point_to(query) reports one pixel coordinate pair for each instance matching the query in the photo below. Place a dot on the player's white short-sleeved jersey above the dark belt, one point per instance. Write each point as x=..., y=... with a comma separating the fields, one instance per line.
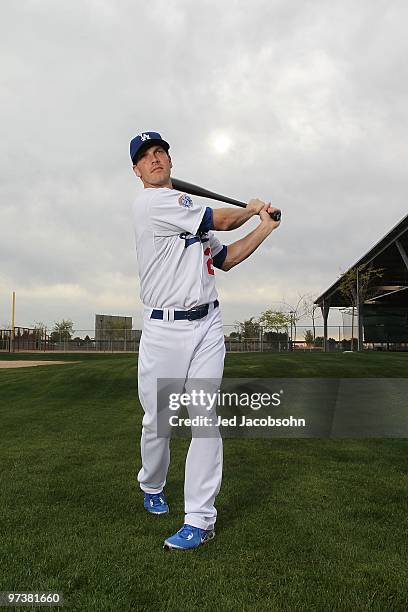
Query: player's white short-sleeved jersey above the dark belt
x=175, y=262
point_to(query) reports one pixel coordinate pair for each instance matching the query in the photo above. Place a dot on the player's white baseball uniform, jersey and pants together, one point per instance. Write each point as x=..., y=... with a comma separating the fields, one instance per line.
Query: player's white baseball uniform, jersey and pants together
x=176, y=251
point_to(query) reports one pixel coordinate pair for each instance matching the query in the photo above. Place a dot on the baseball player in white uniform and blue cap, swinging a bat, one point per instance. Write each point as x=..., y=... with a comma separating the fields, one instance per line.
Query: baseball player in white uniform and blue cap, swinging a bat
x=182, y=332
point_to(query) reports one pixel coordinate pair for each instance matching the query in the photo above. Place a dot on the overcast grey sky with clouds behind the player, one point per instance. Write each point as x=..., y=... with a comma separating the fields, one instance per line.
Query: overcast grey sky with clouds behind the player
x=311, y=96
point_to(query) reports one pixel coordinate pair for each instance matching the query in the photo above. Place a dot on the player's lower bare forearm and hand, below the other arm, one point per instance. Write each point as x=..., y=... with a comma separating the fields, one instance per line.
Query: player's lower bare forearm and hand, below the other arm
x=241, y=249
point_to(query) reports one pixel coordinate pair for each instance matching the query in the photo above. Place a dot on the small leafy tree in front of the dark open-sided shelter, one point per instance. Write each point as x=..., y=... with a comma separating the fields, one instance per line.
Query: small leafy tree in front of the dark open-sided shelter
x=366, y=289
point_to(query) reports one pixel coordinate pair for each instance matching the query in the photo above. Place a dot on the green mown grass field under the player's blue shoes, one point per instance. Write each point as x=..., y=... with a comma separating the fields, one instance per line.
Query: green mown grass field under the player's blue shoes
x=307, y=524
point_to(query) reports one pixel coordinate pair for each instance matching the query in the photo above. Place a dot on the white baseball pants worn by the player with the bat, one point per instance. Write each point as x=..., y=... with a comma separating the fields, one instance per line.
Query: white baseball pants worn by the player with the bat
x=181, y=350
